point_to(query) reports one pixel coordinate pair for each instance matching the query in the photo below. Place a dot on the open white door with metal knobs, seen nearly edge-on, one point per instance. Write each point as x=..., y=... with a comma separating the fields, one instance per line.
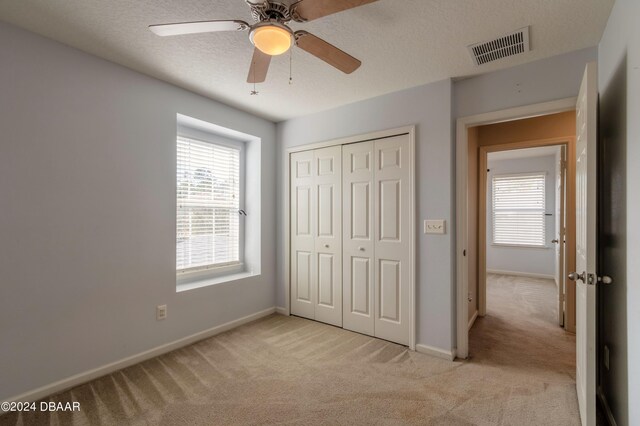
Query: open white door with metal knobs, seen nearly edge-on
x=586, y=192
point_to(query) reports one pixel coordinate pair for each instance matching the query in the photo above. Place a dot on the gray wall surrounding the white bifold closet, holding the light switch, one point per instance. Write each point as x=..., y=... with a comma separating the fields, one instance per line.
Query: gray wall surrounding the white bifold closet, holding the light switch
x=429, y=107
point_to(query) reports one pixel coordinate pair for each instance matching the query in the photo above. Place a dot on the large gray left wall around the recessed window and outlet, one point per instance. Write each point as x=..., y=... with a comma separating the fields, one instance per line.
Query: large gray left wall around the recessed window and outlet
x=87, y=217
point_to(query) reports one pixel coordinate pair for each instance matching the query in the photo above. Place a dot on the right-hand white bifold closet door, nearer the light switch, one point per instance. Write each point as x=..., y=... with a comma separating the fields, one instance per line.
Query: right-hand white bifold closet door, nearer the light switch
x=377, y=239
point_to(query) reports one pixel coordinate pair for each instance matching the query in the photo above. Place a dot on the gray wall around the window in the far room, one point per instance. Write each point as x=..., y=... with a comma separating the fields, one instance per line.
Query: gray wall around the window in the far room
x=539, y=261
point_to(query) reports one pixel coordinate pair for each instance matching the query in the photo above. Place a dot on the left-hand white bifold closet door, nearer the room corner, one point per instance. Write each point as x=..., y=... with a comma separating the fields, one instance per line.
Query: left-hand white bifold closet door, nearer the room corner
x=316, y=235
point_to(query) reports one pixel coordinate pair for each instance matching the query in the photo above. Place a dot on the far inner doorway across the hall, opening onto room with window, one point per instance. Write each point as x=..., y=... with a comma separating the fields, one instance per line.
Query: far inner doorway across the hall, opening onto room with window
x=522, y=243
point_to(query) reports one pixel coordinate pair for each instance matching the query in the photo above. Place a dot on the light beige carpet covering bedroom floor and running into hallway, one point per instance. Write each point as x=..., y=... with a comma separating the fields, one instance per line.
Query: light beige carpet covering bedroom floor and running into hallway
x=287, y=370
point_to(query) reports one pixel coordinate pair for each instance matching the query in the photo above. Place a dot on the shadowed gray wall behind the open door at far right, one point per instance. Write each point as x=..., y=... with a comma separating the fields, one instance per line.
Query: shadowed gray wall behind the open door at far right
x=619, y=304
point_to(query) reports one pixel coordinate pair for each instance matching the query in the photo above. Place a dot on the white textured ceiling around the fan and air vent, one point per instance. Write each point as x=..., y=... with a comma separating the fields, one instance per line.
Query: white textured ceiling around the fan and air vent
x=402, y=44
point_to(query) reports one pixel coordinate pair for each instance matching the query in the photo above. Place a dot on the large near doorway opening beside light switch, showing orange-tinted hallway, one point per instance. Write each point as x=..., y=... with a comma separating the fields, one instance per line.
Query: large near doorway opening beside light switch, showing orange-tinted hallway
x=518, y=188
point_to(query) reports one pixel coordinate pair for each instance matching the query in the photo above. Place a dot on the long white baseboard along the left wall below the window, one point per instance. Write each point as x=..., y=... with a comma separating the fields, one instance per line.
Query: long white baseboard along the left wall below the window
x=80, y=378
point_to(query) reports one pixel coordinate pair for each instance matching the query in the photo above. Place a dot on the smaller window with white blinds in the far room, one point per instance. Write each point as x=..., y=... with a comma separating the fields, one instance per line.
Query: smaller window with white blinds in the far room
x=519, y=210
